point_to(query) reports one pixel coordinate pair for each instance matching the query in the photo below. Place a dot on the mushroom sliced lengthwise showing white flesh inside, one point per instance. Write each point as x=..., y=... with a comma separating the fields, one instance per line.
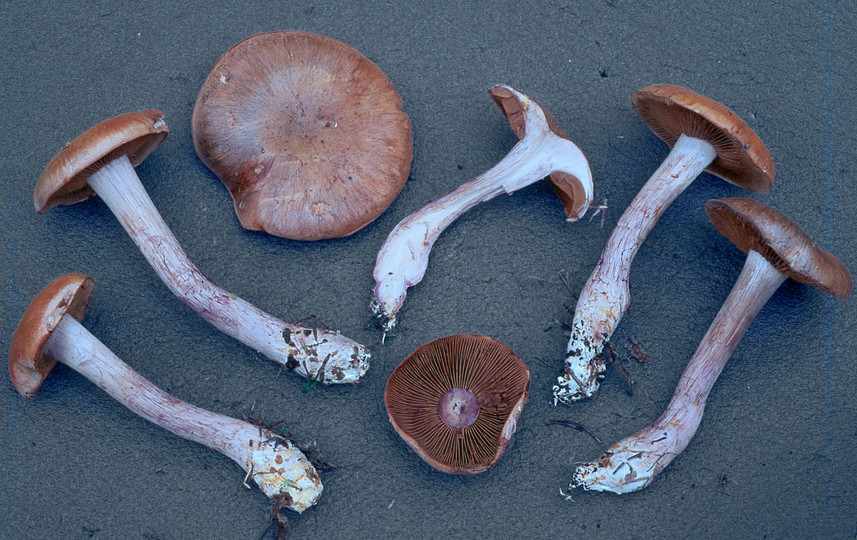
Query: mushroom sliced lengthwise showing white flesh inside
x=544, y=149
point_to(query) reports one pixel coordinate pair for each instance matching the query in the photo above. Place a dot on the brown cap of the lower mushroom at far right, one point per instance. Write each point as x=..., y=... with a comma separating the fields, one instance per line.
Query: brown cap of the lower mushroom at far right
x=751, y=225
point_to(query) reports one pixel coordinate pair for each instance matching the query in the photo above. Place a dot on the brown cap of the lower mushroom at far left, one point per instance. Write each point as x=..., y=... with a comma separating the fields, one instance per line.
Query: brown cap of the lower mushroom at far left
x=28, y=364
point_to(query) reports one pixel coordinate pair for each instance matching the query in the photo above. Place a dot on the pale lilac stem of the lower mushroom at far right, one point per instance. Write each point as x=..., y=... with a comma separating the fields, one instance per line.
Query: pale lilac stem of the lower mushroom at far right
x=634, y=462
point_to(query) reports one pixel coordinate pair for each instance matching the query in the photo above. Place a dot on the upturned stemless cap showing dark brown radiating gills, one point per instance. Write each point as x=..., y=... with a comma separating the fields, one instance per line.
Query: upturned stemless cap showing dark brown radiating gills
x=477, y=365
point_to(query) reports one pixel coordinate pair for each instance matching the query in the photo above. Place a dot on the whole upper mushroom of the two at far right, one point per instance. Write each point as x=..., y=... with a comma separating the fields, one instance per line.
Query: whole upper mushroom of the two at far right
x=704, y=135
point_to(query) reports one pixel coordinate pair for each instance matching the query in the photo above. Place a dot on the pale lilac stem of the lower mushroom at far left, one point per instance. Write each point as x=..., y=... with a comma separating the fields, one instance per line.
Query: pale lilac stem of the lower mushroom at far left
x=280, y=469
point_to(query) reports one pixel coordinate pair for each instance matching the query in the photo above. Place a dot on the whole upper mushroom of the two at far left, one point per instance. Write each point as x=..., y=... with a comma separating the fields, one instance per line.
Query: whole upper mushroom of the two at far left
x=101, y=161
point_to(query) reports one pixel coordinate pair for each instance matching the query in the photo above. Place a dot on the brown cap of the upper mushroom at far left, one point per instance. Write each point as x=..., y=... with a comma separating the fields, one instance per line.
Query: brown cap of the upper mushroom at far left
x=135, y=135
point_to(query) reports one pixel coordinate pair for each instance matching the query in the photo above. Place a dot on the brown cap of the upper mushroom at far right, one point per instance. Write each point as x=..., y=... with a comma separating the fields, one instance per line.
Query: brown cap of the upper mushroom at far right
x=671, y=111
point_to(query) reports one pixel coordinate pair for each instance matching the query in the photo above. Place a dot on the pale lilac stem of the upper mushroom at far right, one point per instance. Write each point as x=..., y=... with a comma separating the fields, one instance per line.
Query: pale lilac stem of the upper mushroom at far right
x=606, y=295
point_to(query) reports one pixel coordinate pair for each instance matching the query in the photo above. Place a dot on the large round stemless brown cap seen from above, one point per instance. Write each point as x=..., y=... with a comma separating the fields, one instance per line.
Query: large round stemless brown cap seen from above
x=307, y=134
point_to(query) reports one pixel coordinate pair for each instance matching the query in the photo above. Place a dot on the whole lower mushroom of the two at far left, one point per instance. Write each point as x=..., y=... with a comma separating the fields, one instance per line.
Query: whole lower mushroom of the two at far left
x=50, y=332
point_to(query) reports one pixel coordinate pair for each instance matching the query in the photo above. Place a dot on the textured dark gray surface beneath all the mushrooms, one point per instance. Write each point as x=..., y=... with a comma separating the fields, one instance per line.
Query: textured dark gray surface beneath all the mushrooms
x=780, y=424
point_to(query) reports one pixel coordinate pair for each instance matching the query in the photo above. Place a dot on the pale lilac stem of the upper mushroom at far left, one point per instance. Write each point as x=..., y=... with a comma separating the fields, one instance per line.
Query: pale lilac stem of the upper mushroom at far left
x=321, y=355
